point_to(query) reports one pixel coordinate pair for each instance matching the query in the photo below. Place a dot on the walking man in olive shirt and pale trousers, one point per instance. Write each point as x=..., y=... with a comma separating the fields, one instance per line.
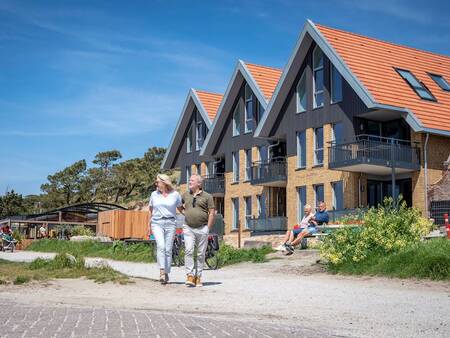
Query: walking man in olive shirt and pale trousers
x=199, y=218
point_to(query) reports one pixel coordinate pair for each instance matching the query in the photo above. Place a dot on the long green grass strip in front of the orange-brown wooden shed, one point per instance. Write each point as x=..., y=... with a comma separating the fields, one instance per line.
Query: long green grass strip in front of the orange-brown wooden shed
x=118, y=250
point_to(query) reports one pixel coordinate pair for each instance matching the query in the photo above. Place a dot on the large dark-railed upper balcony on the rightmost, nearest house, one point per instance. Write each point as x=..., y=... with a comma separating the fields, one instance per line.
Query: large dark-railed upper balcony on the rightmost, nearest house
x=375, y=155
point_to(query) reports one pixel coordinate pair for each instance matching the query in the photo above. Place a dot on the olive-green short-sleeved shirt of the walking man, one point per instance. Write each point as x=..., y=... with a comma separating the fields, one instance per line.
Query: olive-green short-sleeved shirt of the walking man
x=196, y=214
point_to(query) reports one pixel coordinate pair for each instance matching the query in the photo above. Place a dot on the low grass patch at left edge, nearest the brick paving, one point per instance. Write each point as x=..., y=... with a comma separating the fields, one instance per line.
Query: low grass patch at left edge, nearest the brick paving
x=60, y=267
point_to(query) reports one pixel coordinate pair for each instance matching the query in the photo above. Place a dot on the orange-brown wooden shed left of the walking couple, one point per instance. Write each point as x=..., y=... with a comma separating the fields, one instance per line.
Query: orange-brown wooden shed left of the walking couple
x=120, y=224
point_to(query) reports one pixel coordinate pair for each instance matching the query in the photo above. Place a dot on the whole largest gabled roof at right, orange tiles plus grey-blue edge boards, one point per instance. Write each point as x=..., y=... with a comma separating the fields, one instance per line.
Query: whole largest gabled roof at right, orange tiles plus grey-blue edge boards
x=368, y=64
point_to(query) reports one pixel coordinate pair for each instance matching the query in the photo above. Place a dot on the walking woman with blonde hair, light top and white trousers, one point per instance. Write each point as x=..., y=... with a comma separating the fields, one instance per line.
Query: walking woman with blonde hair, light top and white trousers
x=163, y=205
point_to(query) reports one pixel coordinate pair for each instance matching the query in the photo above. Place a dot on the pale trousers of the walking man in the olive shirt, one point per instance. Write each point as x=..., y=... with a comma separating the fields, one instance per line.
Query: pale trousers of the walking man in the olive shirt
x=195, y=237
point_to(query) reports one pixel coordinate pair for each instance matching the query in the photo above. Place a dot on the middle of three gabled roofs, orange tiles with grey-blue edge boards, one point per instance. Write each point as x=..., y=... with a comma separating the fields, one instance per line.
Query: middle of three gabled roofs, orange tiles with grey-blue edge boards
x=261, y=79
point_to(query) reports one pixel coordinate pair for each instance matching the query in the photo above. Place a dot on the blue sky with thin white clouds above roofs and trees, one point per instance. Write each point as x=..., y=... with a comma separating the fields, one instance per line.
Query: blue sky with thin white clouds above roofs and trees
x=80, y=77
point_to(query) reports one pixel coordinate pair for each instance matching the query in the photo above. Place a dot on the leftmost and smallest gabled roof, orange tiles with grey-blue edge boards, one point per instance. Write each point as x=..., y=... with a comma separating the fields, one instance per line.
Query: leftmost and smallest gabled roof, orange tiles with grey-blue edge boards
x=207, y=104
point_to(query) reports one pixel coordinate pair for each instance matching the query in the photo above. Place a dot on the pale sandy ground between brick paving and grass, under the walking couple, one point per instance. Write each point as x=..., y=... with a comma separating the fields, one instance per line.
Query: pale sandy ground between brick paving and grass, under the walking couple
x=287, y=290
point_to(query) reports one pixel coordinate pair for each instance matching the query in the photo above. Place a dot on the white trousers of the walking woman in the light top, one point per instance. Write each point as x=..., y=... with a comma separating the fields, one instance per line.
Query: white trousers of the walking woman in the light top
x=164, y=232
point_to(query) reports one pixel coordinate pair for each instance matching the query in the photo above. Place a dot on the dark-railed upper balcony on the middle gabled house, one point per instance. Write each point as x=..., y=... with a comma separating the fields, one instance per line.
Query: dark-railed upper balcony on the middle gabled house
x=271, y=173
